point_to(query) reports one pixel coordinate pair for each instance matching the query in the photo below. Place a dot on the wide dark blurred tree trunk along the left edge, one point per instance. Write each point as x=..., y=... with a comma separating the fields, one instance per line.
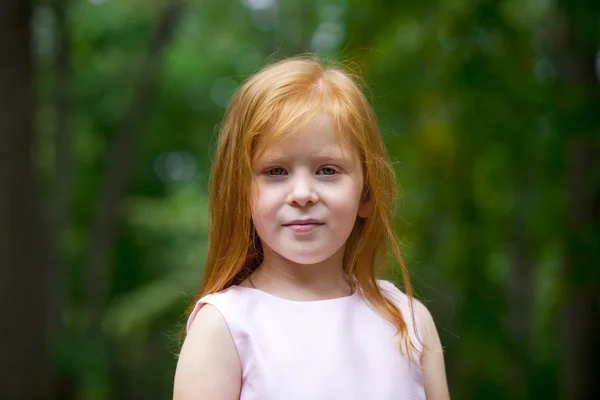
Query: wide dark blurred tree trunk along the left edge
x=26, y=370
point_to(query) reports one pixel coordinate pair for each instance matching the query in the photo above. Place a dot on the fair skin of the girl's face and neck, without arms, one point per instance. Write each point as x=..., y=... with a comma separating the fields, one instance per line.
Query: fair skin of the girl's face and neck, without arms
x=308, y=175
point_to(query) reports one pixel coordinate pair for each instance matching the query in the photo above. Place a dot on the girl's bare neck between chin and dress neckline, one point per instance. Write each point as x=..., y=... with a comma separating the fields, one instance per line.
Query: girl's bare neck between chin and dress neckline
x=280, y=276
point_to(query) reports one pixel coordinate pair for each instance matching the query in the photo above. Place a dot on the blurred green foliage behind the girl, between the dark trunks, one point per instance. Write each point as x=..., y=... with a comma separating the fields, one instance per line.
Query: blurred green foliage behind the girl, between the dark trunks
x=476, y=117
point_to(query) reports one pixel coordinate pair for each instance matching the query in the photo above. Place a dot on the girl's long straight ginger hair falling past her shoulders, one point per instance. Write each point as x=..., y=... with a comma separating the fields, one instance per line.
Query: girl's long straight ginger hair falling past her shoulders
x=280, y=98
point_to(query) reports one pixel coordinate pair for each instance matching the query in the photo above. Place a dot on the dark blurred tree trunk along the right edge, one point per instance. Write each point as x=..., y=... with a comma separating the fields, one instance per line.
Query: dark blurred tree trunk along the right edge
x=580, y=329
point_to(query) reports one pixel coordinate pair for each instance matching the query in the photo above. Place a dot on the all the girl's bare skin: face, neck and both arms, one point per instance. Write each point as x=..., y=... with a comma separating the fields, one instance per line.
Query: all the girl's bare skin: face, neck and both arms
x=307, y=175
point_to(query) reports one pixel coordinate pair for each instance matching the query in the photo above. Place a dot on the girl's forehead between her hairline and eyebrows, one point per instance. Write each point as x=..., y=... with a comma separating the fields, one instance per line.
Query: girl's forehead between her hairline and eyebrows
x=317, y=138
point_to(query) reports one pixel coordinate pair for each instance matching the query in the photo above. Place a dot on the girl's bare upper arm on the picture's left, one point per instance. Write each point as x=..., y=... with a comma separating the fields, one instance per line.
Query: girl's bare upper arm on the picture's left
x=208, y=365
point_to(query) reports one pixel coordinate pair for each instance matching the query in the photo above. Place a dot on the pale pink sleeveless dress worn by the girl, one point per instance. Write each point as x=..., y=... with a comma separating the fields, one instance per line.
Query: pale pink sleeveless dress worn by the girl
x=312, y=350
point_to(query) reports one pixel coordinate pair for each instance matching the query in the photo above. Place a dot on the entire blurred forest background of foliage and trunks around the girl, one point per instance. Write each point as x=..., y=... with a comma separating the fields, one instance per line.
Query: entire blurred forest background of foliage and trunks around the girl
x=109, y=112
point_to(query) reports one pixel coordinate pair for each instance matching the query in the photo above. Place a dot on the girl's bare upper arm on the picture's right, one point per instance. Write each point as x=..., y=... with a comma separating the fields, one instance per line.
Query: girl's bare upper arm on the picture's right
x=432, y=358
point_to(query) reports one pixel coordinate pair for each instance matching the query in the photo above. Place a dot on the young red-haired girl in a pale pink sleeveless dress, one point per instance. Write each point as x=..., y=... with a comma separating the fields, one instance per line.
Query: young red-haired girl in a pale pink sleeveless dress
x=301, y=204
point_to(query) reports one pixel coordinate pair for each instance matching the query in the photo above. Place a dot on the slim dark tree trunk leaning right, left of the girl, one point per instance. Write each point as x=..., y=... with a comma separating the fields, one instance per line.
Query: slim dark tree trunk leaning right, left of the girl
x=120, y=170
